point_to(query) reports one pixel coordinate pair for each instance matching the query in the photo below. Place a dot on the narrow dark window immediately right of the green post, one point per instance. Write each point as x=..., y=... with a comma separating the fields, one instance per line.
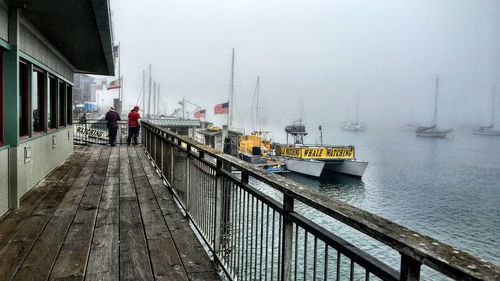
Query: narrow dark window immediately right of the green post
x=23, y=99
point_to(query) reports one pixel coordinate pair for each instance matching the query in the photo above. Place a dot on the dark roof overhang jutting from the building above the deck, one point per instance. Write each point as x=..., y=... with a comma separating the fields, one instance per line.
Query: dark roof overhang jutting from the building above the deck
x=80, y=30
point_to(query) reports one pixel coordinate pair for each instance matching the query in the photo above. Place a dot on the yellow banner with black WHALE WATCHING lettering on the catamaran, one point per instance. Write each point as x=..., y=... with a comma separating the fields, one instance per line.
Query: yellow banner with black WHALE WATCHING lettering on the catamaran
x=317, y=153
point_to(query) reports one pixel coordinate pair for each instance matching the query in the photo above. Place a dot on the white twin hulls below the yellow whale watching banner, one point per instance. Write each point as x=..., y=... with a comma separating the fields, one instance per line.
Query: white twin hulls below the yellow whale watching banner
x=316, y=168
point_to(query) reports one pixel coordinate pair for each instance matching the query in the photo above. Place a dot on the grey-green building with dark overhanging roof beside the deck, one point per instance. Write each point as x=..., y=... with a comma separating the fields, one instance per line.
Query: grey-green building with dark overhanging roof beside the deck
x=42, y=44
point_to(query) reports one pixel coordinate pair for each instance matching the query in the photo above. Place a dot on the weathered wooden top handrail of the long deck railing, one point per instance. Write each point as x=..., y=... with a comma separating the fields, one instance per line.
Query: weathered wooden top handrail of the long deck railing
x=415, y=248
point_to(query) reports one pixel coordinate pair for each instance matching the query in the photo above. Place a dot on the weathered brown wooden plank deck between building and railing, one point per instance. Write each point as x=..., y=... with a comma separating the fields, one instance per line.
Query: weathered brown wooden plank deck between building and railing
x=104, y=214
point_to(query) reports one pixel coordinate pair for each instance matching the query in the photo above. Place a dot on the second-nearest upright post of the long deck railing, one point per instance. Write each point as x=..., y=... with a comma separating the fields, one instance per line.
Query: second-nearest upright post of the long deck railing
x=287, y=238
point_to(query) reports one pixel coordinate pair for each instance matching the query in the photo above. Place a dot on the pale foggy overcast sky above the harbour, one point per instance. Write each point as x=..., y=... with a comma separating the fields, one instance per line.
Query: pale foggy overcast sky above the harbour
x=321, y=52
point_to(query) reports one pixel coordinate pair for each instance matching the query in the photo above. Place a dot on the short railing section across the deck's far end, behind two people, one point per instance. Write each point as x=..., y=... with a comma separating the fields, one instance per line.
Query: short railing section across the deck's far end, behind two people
x=94, y=131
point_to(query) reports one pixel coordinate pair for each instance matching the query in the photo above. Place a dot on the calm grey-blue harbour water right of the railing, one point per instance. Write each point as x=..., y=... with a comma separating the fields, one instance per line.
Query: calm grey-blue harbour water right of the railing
x=448, y=189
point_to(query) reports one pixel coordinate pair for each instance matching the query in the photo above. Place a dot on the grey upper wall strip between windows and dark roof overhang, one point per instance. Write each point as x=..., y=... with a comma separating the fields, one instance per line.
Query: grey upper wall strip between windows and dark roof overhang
x=32, y=43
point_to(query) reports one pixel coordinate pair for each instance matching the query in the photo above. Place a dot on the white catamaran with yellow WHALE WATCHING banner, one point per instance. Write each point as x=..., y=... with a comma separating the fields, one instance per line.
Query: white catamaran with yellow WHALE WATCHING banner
x=318, y=160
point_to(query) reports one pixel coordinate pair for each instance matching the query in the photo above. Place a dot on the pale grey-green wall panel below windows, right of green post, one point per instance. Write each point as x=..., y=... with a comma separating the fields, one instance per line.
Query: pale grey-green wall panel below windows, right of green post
x=44, y=158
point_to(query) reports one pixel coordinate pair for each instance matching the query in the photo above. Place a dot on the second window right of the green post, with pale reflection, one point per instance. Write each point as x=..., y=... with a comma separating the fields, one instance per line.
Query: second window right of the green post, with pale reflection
x=38, y=98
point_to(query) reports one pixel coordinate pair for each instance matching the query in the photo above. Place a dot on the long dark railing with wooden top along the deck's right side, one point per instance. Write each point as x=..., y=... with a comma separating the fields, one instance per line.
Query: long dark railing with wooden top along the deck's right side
x=260, y=234
